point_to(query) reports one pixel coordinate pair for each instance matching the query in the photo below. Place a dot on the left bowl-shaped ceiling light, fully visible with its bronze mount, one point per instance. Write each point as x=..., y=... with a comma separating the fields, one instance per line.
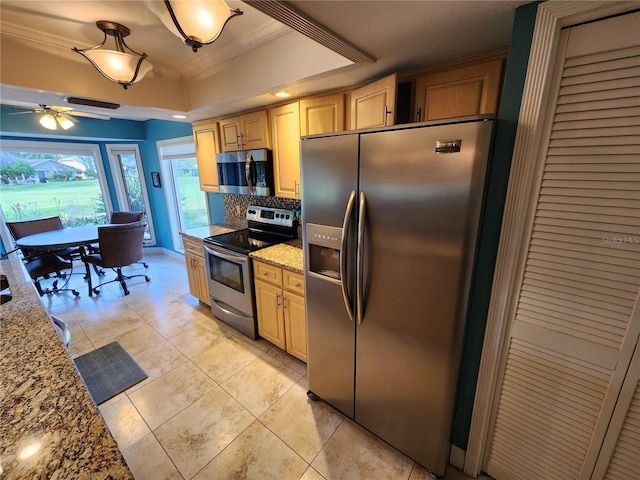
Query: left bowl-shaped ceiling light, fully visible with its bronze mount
x=123, y=65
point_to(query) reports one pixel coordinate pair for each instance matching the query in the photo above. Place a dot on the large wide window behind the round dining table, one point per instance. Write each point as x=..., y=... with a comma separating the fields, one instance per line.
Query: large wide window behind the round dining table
x=42, y=179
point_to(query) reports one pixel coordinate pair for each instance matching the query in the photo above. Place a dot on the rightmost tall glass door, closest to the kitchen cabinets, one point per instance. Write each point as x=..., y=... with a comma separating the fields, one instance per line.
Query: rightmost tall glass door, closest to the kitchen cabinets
x=186, y=203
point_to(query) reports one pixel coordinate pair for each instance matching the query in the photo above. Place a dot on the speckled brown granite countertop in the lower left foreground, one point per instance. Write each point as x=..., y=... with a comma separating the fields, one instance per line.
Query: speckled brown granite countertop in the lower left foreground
x=43, y=401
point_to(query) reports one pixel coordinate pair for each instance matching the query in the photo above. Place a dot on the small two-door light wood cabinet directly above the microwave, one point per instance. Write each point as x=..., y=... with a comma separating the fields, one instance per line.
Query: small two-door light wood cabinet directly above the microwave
x=245, y=132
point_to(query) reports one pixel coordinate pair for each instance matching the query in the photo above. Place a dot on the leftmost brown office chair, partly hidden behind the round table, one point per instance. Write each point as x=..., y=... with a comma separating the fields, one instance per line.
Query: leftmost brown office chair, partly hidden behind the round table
x=44, y=264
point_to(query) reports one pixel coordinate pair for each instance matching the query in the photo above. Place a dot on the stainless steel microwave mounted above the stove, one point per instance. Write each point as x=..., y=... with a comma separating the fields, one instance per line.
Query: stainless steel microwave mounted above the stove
x=249, y=172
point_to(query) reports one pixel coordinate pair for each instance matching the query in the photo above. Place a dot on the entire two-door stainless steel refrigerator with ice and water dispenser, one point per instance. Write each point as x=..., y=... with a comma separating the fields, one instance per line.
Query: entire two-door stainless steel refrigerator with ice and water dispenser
x=390, y=219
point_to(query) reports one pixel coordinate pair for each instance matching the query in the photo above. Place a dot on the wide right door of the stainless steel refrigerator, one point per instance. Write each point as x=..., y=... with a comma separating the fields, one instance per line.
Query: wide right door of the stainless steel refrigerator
x=421, y=216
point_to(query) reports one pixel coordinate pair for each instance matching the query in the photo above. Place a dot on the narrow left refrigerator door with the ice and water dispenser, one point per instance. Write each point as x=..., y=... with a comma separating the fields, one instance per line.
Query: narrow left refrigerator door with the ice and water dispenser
x=329, y=176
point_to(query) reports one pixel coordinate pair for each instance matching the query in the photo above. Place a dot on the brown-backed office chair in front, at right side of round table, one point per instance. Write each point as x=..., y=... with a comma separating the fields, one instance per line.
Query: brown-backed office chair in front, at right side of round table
x=120, y=246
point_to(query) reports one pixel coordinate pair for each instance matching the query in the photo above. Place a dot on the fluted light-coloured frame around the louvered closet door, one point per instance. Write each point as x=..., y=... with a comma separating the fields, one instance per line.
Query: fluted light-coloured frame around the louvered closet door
x=551, y=18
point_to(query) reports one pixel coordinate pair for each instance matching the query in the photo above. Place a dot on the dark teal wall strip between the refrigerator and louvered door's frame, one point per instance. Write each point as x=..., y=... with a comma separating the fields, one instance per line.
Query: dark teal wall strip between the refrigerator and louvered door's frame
x=498, y=177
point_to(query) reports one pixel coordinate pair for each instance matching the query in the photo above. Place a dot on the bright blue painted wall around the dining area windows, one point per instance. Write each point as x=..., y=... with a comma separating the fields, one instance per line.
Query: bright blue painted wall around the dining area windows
x=19, y=126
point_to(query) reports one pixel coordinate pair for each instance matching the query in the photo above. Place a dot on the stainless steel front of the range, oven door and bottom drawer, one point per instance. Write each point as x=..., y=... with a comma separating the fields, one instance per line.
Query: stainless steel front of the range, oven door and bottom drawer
x=230, y=279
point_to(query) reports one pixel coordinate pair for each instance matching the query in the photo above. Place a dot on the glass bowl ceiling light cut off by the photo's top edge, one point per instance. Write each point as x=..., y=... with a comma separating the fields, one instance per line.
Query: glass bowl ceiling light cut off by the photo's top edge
x=195, y=22
